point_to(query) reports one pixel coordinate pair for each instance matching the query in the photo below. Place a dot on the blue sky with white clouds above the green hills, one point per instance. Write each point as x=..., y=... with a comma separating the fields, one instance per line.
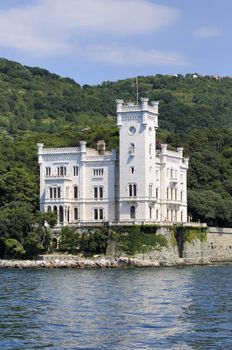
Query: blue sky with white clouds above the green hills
x=92, y=41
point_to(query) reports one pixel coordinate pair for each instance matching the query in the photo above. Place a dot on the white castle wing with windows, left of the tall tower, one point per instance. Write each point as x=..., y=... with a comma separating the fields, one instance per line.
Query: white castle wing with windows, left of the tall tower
x=94, y=171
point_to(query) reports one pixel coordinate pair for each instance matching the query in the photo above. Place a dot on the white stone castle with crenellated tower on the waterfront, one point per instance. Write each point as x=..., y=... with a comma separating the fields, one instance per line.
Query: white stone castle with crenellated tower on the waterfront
x=145, y=184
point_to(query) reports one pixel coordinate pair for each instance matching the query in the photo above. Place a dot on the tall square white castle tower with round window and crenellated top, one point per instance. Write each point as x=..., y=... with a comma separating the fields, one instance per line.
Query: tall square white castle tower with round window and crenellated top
x=137, y=159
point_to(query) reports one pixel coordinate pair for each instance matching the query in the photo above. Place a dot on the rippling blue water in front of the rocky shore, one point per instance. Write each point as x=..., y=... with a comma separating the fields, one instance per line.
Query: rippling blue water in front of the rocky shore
x=165, y=308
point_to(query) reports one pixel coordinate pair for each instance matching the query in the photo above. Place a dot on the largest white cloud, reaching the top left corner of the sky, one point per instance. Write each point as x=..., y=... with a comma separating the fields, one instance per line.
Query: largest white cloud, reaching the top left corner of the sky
x=53, y=27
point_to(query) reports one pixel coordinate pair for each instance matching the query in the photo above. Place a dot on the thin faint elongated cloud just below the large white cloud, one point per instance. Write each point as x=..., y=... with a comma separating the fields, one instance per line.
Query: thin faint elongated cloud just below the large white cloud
x=133, y=56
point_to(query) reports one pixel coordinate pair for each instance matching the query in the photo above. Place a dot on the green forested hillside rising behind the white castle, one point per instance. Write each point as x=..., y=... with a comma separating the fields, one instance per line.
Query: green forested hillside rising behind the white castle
x=37, y=106
